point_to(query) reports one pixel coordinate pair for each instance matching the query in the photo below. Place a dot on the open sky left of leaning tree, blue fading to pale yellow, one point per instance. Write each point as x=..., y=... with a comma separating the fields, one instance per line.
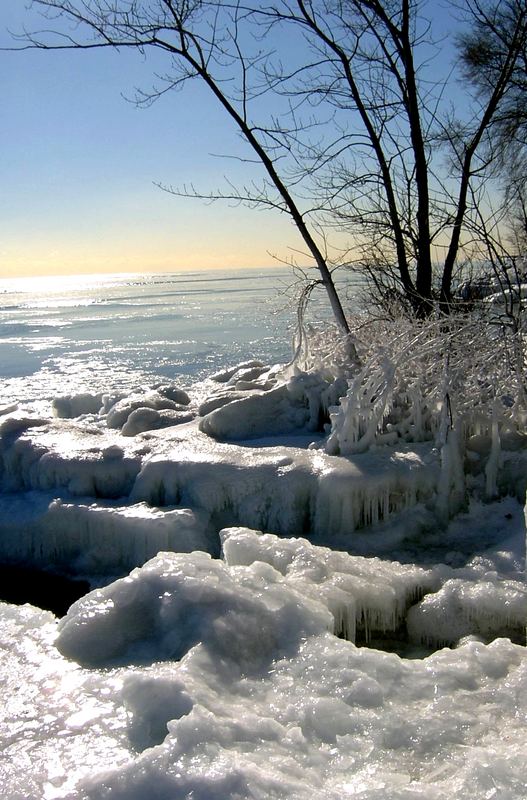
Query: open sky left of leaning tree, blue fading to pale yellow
x=79, y=164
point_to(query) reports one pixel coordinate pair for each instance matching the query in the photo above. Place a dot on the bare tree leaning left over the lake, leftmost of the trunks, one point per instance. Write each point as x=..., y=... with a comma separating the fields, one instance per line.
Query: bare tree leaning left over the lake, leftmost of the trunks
x=205, y=41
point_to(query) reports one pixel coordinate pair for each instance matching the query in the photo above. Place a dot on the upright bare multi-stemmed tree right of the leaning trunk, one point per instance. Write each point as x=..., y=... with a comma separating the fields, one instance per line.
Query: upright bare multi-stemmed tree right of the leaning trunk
x=407, y=180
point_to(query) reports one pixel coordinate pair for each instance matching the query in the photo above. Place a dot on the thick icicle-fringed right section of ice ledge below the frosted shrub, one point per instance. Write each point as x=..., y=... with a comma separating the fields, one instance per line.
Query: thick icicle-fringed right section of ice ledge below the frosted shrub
x=287, y=490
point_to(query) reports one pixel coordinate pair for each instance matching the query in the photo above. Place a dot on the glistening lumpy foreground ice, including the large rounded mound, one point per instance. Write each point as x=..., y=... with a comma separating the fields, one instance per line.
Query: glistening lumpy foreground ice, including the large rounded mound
x=205, y=679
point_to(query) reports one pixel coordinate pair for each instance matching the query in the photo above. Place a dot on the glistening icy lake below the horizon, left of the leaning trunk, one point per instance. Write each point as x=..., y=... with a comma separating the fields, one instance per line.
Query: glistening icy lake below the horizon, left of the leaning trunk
x=64, y=334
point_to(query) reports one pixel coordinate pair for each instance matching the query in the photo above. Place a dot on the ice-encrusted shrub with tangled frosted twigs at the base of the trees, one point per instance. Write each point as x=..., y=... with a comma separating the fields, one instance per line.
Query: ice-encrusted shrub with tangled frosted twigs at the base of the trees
x=451, y=380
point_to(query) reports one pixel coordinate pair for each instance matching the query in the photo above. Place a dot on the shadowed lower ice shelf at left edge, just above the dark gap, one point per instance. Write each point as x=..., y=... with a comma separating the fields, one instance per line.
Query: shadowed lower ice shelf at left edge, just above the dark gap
x=96, y=538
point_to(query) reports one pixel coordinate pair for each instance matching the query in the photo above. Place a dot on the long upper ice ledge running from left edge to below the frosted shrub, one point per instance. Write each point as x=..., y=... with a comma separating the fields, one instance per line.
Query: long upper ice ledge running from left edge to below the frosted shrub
x=283, y=489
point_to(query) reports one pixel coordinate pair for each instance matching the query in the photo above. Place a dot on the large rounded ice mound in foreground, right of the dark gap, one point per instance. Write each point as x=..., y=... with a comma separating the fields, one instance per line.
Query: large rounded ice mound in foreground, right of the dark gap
x=160, y=611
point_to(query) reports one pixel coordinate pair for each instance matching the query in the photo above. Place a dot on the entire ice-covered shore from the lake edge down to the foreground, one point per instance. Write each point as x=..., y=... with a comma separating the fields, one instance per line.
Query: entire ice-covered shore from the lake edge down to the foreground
x=232, y=662
